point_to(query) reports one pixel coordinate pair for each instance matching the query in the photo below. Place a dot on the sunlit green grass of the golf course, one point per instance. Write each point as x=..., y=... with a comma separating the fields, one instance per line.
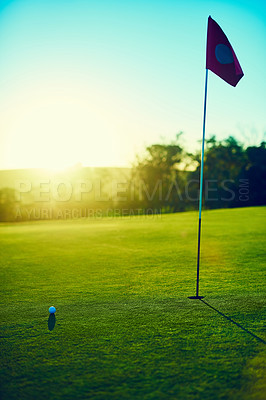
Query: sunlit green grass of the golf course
x=124, y=326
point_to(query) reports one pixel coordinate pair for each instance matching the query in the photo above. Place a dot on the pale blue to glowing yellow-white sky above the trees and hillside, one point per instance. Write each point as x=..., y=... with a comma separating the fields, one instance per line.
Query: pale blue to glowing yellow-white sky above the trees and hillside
x=95, y=81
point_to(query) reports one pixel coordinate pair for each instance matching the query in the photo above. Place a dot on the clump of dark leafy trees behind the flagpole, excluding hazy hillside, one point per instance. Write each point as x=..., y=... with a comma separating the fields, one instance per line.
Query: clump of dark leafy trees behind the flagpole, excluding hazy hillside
x=234, y=176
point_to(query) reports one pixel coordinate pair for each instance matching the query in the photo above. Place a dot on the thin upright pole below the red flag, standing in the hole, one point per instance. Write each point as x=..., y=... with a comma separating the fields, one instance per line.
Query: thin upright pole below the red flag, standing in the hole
x=201, y=186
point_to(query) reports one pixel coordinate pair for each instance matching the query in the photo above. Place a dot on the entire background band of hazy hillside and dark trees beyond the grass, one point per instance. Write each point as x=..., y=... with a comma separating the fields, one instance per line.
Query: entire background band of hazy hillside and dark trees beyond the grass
x=163, y=179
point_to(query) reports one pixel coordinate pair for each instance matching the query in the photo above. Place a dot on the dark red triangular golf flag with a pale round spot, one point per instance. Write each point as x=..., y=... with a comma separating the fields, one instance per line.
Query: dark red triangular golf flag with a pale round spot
x=220, y=57
